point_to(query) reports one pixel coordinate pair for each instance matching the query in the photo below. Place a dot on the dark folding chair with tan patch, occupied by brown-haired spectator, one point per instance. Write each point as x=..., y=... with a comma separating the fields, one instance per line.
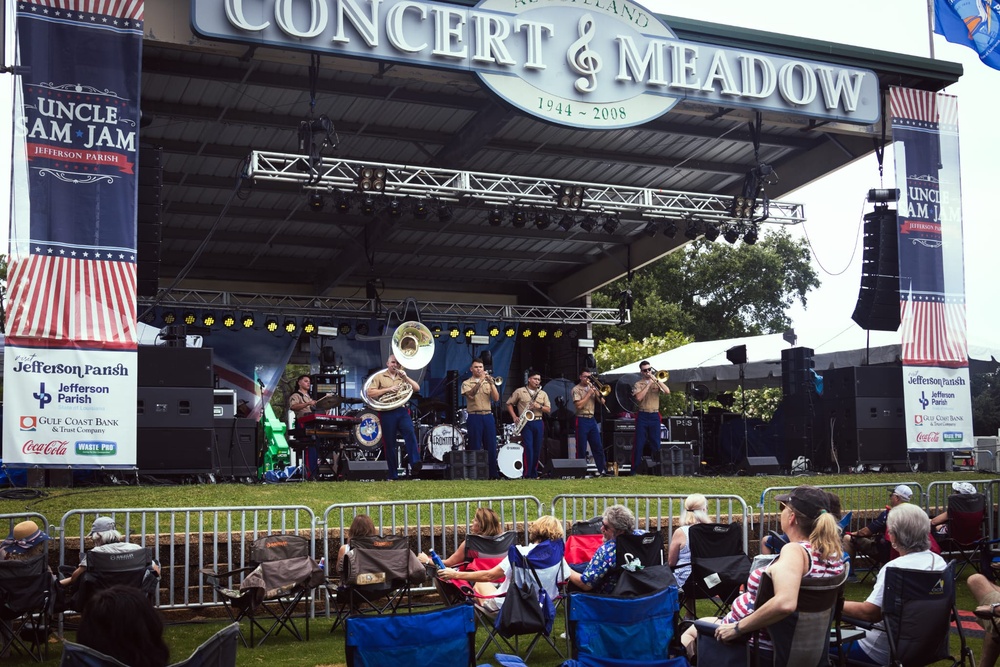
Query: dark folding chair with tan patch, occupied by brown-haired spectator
x=377, y=574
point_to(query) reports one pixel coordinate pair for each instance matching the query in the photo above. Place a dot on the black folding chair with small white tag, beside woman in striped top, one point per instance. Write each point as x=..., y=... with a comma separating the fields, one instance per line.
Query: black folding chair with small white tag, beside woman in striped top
x=719, y=565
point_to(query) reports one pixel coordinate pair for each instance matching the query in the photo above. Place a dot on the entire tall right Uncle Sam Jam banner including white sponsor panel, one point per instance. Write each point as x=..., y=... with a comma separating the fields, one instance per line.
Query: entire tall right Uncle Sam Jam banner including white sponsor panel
x=931, y=269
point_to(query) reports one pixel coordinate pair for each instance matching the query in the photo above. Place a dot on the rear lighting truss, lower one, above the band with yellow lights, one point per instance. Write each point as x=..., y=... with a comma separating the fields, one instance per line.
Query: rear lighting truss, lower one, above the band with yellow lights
x=333, y=307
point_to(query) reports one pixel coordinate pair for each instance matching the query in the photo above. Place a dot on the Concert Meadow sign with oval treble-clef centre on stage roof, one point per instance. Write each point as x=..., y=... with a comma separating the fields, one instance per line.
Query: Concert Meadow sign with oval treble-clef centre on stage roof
x=594, y=64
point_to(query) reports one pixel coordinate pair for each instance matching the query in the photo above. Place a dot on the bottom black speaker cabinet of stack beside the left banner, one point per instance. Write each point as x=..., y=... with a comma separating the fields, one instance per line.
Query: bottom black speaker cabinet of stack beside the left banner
x=174, y=451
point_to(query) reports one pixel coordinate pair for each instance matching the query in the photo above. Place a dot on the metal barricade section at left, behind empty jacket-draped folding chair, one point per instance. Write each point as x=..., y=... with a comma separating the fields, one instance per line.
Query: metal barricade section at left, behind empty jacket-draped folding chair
x=186, y=540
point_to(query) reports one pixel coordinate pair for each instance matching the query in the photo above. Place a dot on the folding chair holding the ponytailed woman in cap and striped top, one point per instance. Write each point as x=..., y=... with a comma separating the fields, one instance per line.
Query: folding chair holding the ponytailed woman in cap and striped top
x=802, y=638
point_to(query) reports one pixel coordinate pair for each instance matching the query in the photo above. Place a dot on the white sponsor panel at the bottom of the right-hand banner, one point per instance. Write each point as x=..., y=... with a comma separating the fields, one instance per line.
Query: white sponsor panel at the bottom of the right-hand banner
x=938, y=408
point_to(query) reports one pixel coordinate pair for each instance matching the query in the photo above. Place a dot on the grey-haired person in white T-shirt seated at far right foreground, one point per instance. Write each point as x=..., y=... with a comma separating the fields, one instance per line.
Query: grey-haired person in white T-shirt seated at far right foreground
x=908, y=528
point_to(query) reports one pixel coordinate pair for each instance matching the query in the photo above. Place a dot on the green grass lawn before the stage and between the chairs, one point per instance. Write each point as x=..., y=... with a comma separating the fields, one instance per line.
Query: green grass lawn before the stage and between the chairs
x=326, y=649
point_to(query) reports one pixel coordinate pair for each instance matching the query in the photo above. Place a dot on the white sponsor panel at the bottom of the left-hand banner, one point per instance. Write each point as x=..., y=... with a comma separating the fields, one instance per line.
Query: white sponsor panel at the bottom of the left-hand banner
x=66, y=407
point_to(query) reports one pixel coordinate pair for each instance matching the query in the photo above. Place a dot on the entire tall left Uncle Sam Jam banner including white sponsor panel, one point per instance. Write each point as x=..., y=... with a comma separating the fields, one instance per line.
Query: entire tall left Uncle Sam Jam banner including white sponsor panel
x=70, y=360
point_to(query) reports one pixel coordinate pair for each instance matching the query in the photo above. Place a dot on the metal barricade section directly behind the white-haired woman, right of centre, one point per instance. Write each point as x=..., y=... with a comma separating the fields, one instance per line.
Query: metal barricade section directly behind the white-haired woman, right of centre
x=652, y=512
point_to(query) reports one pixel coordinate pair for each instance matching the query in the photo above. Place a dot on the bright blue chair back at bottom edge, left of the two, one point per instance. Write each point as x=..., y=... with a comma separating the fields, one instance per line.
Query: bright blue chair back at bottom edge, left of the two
x=443, y=638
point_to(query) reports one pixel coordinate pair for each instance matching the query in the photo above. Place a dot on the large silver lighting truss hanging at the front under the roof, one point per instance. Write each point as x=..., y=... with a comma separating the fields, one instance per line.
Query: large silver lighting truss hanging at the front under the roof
x=482, y=189
